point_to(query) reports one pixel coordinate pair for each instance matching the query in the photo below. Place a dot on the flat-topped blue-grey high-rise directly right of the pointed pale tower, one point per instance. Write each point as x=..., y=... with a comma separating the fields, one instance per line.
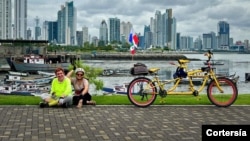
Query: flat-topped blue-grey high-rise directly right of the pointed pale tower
x=114, y=30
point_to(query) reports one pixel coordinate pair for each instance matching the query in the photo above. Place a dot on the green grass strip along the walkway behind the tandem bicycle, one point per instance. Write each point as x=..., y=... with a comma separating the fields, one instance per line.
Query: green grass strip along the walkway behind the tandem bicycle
x=243, y=99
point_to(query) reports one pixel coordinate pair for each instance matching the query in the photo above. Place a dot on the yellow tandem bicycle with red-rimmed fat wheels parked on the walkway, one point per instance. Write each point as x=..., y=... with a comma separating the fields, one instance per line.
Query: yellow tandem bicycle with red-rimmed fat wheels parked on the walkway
x=221, y=90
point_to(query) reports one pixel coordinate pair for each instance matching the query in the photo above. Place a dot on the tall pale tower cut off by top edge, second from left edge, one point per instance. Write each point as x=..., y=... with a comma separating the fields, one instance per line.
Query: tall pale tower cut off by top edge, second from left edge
x=20, y=19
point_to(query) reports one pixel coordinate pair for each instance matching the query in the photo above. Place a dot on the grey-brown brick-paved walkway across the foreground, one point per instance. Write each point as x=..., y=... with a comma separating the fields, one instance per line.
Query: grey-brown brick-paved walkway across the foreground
x=114, y=123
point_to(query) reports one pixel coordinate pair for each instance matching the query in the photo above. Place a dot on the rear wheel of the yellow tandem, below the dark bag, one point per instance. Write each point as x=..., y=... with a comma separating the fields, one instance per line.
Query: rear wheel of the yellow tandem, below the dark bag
x=142, y=92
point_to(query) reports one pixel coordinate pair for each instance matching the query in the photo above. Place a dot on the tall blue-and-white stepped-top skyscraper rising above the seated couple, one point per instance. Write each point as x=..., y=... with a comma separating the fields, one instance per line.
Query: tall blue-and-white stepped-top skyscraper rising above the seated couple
x=66, y=19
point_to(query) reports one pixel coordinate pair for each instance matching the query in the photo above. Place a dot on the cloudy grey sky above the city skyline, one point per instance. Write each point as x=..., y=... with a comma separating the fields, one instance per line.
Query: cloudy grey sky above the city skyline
x=193, y=17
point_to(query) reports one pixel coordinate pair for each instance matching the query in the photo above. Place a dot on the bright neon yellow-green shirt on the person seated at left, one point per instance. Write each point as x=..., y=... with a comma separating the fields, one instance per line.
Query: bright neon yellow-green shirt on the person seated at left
x=61, y=88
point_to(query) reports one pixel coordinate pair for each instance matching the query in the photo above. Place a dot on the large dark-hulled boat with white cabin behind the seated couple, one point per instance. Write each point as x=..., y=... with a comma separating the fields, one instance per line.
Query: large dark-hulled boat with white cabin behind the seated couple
x=32, y=63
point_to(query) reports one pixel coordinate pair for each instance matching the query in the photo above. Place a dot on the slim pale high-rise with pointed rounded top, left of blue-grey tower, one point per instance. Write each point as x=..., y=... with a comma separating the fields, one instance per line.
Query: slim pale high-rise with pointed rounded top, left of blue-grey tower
x=103, y=32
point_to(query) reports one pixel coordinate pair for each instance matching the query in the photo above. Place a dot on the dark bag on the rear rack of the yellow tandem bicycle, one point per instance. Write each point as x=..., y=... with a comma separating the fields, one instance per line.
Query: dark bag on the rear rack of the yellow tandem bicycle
x=139, y=69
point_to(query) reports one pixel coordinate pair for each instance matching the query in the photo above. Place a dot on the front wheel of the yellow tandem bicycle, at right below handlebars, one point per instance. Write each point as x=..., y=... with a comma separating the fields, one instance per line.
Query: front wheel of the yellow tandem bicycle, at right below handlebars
x=227, y=97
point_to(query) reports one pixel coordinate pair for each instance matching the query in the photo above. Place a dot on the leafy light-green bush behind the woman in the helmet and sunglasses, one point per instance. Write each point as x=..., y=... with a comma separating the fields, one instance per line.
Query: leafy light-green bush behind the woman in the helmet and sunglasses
x=91, y=73
